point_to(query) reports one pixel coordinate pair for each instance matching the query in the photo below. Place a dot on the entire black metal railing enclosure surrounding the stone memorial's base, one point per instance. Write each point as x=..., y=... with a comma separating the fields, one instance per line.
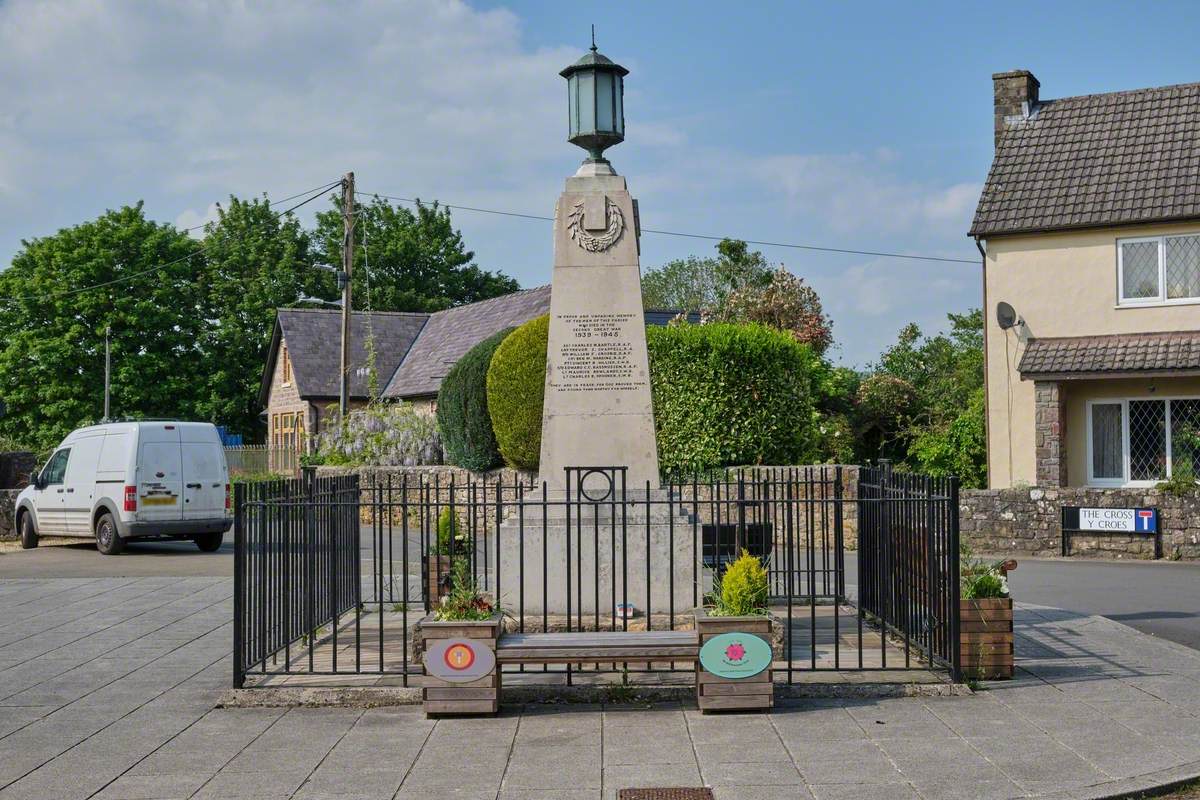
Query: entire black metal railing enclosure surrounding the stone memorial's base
x=333, y=574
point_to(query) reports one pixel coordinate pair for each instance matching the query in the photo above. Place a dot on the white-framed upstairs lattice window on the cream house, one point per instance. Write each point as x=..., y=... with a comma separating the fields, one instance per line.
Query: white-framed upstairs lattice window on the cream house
x=1159, y=270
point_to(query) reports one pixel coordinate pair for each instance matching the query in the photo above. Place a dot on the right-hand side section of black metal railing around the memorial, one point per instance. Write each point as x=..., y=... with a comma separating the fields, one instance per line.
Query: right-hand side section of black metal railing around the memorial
x=909, y=562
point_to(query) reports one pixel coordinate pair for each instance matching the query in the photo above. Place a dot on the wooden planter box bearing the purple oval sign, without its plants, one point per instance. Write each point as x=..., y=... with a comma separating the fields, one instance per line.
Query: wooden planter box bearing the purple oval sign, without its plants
x=478, y=696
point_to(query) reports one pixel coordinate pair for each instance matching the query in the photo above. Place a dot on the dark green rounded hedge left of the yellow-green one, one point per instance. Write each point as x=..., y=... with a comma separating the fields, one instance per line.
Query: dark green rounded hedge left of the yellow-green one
x=463, y=408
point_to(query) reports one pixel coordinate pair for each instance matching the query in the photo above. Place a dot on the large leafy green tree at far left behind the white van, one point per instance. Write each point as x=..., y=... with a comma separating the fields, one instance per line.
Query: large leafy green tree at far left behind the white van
x=52, y=327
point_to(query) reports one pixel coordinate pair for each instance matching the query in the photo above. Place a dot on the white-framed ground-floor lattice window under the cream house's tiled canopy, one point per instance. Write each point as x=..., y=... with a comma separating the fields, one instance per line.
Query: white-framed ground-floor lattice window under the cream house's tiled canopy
x=1143, y=442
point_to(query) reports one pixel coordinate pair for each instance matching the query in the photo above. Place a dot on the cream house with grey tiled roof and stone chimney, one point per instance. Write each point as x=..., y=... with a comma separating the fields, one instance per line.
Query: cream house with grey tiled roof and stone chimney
x=1089, y=225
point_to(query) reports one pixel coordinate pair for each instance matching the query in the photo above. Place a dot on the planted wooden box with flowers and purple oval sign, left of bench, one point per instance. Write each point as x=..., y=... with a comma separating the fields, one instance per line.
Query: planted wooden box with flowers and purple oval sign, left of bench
x=459, y=649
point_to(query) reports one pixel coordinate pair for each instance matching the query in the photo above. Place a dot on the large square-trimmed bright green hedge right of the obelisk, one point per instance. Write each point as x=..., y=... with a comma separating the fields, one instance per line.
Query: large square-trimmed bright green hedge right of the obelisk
x=730, y=395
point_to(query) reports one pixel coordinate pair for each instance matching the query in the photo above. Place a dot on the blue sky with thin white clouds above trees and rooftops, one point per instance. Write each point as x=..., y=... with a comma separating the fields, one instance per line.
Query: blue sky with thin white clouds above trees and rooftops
x=865, y=127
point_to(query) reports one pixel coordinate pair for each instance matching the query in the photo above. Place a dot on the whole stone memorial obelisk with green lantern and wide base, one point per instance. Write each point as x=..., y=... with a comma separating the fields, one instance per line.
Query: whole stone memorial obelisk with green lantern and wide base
x=577, y=555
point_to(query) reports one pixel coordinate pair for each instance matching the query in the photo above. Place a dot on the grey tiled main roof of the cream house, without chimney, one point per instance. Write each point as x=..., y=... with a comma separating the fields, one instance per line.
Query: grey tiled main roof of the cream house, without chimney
x=1095, y=161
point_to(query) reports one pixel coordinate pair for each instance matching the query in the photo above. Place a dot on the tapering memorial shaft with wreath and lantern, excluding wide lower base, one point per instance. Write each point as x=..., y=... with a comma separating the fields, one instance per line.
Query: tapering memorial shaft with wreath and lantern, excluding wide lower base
x=598, y=410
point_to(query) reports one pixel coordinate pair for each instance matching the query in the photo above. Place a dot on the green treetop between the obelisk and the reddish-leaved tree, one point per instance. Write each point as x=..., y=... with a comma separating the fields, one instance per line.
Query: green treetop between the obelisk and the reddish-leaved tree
x=697, y=284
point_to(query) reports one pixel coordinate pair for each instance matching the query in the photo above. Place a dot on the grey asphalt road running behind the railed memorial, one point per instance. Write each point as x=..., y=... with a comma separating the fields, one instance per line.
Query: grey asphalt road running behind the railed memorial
x=1156, y=598
